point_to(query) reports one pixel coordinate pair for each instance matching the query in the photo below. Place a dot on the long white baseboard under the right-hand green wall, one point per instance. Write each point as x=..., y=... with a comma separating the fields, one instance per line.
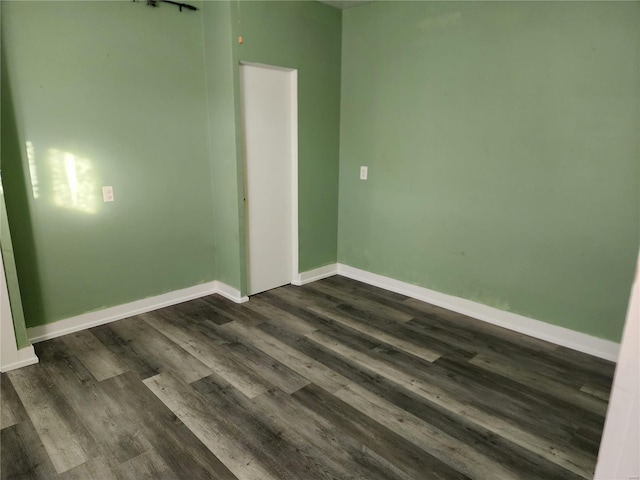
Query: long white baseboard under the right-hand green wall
x=581, y=342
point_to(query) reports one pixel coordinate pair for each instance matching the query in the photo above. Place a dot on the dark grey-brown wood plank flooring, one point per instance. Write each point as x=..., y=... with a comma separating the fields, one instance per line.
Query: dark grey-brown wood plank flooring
x=333, y=380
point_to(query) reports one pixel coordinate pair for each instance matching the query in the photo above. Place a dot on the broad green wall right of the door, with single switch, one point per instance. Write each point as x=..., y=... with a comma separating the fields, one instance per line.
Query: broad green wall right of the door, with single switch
x=503, y=152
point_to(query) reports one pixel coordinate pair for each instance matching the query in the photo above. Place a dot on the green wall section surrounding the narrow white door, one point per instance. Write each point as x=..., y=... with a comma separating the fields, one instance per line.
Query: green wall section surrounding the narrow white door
x=306, y=36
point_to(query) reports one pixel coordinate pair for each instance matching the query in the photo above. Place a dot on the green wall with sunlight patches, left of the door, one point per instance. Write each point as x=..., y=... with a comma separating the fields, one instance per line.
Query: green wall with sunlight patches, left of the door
x=105, y=93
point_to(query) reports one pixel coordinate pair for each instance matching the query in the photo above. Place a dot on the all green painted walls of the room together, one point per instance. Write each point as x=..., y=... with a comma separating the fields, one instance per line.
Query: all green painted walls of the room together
x=501, y=139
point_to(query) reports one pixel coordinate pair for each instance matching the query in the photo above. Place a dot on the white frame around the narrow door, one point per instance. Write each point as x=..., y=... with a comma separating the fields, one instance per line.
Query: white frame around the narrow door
x=294, y=170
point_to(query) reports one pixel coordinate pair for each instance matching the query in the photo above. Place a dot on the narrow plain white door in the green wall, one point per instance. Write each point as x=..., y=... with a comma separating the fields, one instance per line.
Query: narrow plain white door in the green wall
x=269, y=106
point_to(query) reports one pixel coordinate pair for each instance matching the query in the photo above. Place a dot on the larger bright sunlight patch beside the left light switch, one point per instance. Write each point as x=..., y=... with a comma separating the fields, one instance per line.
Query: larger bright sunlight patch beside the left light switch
x=73, y=181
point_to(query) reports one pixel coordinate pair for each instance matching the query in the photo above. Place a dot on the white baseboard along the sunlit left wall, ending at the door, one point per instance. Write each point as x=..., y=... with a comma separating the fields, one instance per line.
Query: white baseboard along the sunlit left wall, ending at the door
x=107, y=315
